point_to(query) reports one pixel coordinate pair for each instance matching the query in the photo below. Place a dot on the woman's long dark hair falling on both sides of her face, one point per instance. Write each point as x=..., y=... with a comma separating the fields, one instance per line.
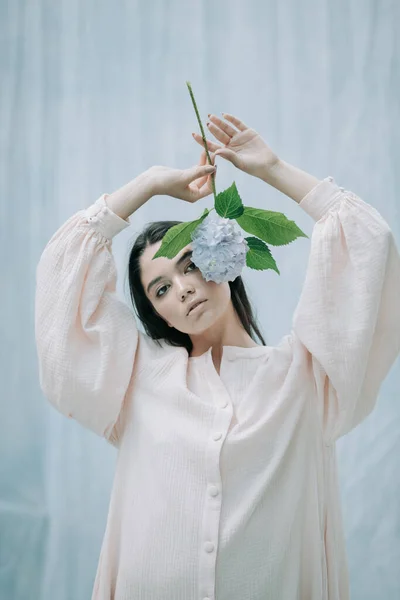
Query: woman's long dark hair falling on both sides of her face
x=153, y=323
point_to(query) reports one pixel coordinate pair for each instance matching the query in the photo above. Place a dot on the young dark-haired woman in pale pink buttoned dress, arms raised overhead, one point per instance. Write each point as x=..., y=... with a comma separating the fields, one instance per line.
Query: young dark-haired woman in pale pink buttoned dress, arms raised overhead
x=226, y=480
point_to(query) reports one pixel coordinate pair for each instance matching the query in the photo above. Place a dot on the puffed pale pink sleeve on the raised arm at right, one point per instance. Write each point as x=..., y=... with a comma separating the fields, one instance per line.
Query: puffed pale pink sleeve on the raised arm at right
x=348, y=315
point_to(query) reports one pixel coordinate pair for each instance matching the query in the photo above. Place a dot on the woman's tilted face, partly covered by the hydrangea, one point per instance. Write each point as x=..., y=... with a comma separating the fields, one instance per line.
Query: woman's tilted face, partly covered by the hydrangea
x=172, y=284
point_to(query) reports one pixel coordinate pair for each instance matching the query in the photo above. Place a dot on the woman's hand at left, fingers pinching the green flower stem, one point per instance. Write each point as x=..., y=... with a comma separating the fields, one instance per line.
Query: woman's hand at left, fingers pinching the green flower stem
x=189, y=185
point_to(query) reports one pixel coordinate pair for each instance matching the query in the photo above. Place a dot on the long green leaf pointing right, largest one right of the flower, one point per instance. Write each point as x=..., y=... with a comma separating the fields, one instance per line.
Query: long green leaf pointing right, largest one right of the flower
x=272, y=227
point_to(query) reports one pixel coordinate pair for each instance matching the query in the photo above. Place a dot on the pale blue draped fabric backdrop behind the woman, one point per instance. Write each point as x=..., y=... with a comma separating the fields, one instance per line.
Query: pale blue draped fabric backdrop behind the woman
x=93, y=93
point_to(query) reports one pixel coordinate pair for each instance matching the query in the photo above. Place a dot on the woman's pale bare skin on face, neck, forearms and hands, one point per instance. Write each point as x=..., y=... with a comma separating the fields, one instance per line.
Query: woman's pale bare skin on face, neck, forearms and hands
x=215, y=323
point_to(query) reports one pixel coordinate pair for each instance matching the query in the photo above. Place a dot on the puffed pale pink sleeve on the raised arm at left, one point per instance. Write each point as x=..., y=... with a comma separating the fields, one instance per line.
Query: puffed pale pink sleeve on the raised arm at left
x=86, y=338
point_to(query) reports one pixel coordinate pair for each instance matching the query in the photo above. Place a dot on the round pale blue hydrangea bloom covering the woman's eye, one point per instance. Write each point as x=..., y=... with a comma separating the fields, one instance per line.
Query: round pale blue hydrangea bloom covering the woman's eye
x=219, y=248
